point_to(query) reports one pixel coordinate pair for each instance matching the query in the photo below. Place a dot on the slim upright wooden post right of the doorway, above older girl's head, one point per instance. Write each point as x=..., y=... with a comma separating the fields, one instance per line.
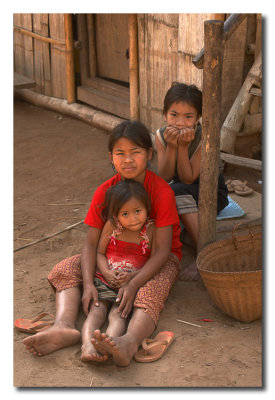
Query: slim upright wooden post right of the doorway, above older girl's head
x=133, y=67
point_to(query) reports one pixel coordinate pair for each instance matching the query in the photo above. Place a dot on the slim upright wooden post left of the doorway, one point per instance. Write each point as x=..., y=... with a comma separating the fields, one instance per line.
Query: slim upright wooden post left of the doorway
x=69, y=45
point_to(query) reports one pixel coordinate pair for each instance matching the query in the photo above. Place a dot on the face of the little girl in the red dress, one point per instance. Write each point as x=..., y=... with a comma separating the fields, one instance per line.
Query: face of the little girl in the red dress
x=132, y=215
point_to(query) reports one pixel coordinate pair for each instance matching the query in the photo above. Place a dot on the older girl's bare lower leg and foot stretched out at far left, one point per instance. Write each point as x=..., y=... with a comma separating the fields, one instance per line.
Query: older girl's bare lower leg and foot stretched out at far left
x=63, y=332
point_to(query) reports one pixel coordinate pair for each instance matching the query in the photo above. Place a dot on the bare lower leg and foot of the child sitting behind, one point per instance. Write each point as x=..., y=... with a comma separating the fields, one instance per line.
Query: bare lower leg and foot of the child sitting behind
x=191, y=224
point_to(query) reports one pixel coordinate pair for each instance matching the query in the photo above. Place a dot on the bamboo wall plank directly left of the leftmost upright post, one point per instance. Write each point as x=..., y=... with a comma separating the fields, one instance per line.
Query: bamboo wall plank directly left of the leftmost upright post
x=58, y=56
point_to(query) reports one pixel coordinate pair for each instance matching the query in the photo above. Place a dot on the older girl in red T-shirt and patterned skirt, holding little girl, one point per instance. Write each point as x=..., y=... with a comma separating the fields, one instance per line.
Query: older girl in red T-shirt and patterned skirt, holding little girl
x=130, y=150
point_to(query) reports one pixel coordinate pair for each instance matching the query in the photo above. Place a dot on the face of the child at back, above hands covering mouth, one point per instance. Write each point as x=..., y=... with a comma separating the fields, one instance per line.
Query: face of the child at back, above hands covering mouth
x=181, y=115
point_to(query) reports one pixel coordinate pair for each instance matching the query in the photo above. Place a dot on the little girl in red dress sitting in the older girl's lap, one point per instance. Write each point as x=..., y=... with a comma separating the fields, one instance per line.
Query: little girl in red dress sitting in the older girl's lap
x=125, y=244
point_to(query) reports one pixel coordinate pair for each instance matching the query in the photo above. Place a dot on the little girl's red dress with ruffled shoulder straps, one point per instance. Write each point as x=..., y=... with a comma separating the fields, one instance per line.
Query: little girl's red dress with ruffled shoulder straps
x=126, y=256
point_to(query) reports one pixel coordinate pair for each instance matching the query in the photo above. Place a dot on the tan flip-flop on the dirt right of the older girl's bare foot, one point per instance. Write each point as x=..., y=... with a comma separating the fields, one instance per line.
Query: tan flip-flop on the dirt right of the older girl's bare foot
x=153, y=349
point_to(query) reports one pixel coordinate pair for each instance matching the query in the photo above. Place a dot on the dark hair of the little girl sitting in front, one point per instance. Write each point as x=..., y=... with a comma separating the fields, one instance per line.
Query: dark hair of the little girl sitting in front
x=122, y=192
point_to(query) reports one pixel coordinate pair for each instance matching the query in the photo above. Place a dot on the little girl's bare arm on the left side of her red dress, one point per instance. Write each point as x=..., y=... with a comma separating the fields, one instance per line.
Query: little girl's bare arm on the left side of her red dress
x=102, y=264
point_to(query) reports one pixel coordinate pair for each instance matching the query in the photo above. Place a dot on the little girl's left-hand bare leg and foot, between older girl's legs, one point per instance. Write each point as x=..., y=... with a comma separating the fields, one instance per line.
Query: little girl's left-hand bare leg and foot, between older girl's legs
x=94, y=320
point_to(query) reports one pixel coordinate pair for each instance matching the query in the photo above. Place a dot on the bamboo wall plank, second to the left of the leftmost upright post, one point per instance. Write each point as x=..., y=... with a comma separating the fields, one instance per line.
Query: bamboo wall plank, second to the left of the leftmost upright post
x=42, y=64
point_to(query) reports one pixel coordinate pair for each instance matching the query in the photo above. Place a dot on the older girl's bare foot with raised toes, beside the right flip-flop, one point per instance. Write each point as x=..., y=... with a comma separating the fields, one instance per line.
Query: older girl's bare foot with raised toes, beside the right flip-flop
x=121, y=348
